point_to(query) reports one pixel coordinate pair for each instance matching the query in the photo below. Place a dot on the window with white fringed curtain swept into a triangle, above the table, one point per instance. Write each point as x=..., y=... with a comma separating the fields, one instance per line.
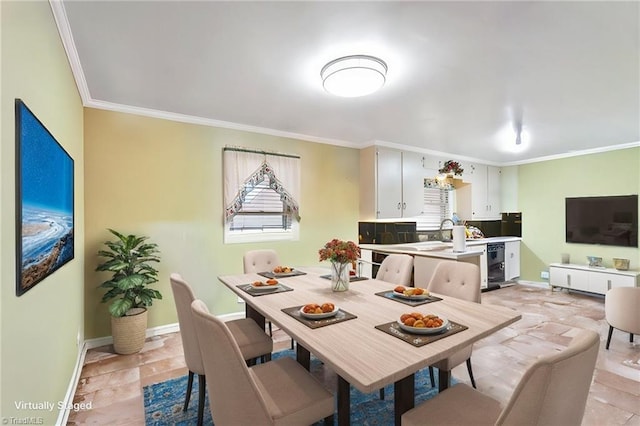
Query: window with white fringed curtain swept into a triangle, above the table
x=260, y=191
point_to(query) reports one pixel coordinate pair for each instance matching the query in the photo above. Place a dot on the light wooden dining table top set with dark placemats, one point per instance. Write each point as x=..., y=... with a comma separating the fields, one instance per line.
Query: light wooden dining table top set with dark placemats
x=366, y=357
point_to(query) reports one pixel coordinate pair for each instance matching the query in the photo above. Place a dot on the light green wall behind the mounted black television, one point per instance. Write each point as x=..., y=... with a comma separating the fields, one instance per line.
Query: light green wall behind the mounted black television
x=542, y=190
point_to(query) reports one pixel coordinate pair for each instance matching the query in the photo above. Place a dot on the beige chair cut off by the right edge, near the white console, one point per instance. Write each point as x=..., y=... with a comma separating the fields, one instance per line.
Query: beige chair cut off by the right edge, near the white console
x=622, y=311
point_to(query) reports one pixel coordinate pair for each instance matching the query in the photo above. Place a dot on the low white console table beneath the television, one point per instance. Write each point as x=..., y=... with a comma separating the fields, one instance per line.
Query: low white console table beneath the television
x=590, y=279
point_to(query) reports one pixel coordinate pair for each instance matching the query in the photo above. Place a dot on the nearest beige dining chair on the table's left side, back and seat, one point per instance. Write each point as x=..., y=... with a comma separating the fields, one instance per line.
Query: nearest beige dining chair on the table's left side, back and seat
x=279, y=392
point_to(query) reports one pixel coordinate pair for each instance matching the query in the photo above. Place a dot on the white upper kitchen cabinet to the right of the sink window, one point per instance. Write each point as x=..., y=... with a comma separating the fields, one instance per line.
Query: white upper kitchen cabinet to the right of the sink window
x=480, y=200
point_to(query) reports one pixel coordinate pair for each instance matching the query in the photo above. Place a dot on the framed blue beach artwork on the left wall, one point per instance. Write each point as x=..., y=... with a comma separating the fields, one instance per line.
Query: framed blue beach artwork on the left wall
x=44, y=201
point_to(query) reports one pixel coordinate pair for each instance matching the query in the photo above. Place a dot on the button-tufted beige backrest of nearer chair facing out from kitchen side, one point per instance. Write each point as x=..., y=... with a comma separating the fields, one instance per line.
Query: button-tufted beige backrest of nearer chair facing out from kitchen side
x=456, y=279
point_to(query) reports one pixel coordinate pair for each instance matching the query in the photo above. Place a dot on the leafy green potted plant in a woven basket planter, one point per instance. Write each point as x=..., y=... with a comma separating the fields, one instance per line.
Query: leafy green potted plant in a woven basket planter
x=129, y=259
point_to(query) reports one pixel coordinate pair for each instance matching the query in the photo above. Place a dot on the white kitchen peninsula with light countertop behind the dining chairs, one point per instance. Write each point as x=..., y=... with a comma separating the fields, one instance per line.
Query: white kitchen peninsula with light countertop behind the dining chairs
x=427, y=255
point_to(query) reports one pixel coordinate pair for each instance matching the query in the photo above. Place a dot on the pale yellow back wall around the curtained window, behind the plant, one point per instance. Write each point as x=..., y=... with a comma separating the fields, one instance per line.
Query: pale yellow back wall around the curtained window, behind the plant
x=164, y=179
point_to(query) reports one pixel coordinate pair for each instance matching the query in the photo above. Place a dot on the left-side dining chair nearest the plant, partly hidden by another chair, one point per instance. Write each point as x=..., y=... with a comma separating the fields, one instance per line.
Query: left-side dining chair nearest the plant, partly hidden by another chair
x=253, y=341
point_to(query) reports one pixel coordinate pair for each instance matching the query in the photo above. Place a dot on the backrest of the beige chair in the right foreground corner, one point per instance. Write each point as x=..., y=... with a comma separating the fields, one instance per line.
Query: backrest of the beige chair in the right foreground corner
x=554, y=390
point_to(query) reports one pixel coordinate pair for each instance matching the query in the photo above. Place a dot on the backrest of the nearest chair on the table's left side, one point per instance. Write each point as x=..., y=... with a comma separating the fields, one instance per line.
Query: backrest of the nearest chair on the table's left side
x=226, y=370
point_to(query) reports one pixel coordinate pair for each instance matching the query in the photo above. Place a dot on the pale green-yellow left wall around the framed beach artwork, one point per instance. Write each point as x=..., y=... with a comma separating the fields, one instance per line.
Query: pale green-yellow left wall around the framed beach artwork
x=40, y=328
